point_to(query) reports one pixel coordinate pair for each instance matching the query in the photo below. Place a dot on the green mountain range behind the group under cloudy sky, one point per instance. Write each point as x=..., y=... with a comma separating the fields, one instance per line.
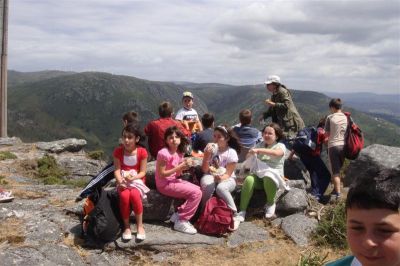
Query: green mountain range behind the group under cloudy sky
x=53, y=105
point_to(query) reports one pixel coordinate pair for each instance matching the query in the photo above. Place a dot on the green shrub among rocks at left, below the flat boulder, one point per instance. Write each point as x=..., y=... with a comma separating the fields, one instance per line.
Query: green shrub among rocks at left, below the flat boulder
x=49, y=172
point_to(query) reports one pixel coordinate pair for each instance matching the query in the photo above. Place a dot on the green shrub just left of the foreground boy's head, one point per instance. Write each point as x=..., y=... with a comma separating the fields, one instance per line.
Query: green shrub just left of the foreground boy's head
x=331, y=231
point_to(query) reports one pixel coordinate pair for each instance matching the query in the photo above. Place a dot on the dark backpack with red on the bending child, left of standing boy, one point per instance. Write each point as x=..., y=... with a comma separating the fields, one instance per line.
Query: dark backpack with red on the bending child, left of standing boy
x=307, y=142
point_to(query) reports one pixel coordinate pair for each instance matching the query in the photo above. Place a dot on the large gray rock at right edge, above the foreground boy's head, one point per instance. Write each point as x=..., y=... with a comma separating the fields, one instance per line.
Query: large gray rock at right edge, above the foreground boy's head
x=371, y=161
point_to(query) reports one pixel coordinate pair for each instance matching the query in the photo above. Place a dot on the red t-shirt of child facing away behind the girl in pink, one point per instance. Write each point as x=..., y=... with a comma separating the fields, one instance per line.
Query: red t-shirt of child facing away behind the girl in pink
x=155, y=132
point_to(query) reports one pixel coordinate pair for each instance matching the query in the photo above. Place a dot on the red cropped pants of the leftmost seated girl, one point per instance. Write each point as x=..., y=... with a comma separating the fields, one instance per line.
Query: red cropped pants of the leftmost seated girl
x=128, y=197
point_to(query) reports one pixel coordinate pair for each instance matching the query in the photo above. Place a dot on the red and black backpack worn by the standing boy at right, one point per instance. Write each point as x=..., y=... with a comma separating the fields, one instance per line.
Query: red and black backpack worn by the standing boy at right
x=353, y=139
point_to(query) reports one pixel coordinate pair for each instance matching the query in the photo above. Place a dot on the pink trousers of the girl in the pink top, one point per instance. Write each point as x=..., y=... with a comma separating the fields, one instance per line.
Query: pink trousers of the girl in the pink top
x=181, y=189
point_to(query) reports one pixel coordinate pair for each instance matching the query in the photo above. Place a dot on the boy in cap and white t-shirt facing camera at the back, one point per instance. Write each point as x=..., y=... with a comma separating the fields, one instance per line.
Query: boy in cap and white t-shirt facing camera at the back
x=187, y=115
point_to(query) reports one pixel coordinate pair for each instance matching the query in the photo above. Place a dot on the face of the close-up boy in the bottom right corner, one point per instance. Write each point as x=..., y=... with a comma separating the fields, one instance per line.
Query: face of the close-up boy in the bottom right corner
x=374, y=236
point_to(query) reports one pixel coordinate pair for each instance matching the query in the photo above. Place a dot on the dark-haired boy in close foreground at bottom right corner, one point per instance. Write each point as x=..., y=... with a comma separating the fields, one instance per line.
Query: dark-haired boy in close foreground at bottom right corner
x=373, y=221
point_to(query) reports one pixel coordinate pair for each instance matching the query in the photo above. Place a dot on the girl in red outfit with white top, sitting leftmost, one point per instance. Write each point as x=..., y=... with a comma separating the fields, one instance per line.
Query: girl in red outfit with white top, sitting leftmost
x=130, y=162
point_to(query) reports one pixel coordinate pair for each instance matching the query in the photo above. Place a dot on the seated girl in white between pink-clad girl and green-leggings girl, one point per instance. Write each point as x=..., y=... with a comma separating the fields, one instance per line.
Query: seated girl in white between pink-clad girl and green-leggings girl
x=219, y=163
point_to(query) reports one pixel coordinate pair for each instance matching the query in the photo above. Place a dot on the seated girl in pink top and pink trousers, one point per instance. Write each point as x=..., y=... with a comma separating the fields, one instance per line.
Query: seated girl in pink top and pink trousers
x=169, y=166
